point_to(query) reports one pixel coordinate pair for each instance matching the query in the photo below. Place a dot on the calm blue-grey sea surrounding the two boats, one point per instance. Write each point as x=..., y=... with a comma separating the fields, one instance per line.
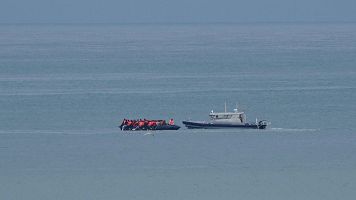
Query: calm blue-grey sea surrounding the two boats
x=65, y=89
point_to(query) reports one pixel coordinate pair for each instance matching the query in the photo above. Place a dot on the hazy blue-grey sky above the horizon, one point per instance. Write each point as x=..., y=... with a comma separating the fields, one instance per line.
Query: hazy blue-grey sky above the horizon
x=185, y=11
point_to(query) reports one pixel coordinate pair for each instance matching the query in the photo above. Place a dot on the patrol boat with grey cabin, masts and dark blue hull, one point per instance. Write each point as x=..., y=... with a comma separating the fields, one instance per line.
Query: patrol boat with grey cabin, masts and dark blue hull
x=225, y=119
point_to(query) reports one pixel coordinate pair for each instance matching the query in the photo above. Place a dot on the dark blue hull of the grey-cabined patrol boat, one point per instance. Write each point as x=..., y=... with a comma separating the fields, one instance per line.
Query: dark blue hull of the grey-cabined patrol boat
x=206, y=125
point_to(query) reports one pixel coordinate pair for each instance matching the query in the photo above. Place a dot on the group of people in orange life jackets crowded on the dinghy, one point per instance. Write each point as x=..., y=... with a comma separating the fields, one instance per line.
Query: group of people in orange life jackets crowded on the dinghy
x=143, y=124
